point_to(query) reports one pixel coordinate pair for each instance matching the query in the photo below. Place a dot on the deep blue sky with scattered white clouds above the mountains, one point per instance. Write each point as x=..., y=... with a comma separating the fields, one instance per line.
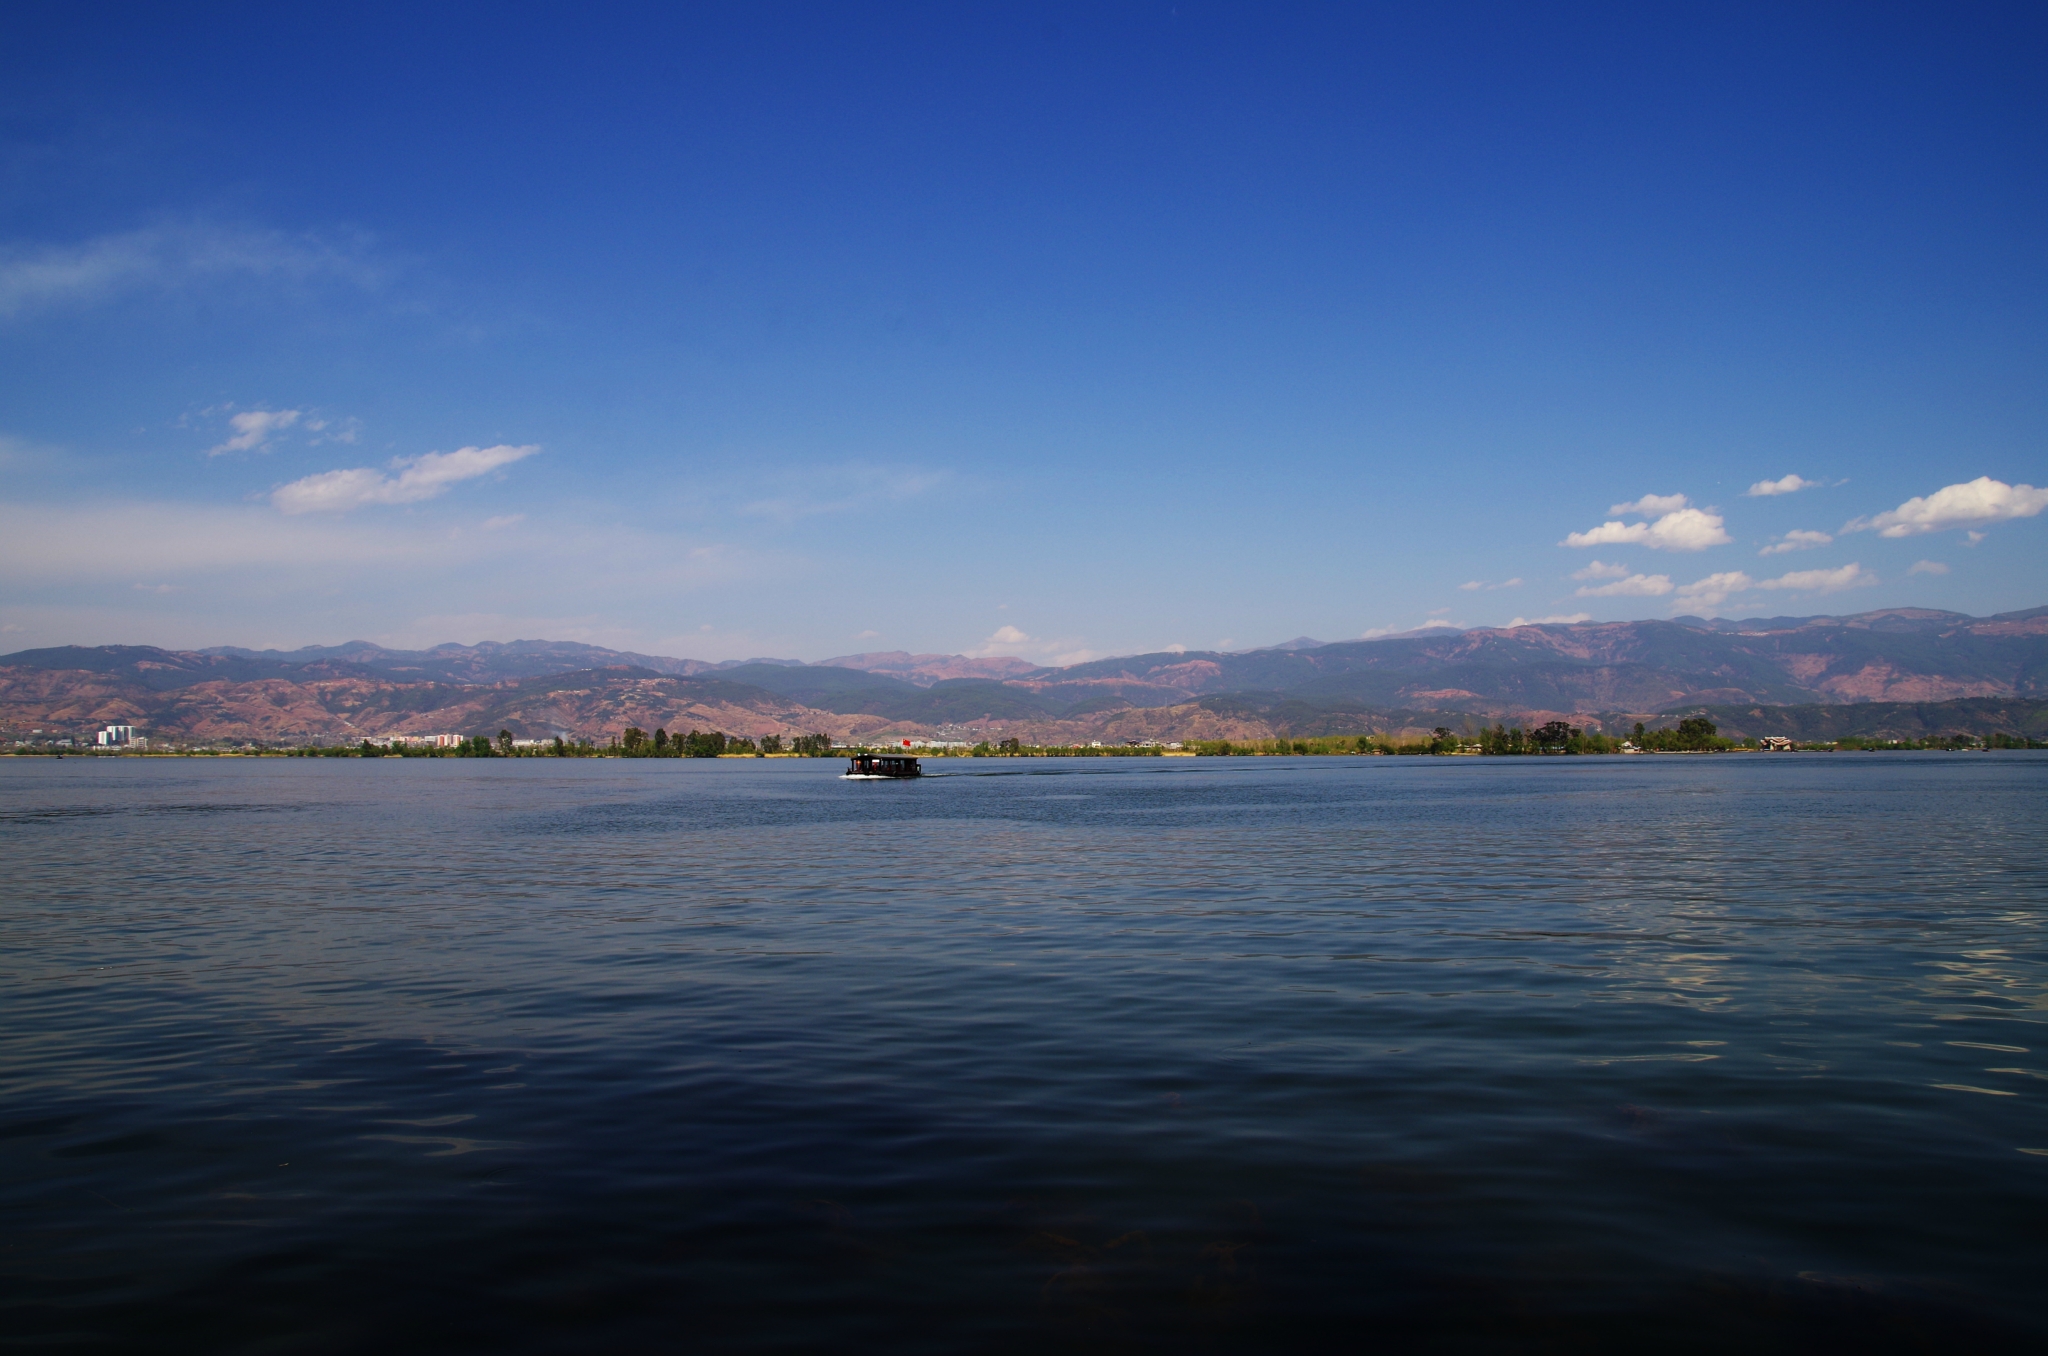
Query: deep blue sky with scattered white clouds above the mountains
x=1046, y=331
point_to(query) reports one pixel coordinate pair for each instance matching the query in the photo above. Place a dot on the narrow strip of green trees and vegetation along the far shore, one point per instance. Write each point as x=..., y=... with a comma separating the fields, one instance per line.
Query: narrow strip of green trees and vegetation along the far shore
x=1555, y=738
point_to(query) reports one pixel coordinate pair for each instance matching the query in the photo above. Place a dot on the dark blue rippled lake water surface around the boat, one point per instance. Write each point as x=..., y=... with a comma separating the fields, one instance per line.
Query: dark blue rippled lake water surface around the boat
x=1043, y=1056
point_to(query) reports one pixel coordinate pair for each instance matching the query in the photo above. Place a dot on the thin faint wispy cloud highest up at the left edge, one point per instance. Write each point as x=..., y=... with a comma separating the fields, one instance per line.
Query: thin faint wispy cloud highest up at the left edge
x=169, y=257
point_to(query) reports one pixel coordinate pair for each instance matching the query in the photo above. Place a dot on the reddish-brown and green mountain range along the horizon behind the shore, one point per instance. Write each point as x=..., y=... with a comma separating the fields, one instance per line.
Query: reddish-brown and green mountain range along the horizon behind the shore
x=1588, y=673
